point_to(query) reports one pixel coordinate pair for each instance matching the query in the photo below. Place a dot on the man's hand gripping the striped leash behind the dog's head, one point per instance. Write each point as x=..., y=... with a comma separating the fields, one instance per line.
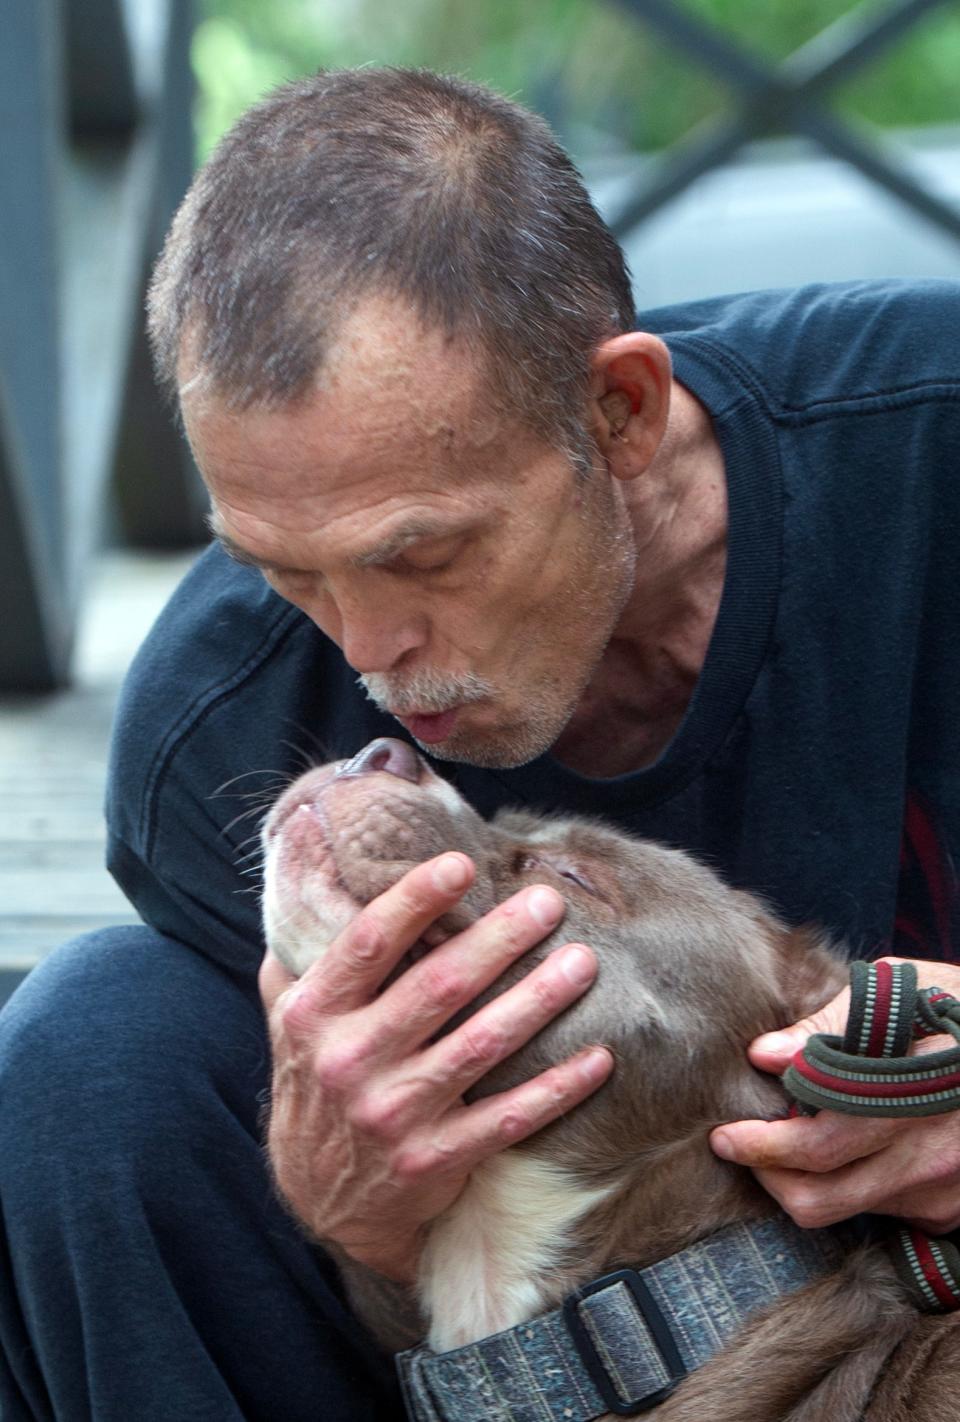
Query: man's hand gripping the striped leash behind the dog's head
x=831, y=1167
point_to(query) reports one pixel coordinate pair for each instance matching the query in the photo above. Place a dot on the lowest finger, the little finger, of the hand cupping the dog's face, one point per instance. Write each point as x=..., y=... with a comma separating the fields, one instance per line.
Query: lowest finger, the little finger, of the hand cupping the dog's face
x=487, y=1127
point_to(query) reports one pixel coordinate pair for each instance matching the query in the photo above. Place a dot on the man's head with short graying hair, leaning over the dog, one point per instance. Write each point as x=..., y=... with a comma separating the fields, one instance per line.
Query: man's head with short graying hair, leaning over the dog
x=395, y=322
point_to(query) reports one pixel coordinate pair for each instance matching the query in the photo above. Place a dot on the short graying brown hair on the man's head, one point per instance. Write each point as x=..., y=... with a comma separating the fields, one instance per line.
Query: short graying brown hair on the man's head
x=429, y=188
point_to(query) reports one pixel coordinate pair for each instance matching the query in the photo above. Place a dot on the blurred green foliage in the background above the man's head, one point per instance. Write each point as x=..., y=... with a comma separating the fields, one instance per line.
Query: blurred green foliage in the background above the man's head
x=599, y=76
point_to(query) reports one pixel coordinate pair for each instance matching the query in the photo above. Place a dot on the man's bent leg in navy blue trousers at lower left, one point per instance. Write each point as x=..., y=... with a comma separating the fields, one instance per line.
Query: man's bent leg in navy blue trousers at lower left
x=149, y=1256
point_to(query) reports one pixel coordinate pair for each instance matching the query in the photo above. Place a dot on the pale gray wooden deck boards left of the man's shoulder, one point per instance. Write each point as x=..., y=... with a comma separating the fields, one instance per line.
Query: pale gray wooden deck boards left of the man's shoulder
x=53, y=764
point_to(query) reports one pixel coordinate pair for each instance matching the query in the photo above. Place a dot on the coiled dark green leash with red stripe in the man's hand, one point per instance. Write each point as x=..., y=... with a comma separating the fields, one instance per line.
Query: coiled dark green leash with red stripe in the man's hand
x=868, y=1073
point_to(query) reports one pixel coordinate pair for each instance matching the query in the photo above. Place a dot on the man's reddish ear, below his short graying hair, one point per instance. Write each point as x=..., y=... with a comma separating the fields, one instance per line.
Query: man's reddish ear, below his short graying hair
x=631, y=386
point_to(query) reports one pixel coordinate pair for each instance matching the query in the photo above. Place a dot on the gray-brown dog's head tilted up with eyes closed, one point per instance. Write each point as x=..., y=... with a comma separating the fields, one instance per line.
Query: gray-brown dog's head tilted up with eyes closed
x=690, y=969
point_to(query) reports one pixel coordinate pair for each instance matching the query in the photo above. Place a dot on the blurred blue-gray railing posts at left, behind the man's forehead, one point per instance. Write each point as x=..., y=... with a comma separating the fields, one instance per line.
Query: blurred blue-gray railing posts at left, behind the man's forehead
x=96, y=150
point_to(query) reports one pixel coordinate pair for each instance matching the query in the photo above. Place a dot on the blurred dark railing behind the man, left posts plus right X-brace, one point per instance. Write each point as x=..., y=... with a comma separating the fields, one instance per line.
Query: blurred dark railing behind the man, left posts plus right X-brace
x=96, y=150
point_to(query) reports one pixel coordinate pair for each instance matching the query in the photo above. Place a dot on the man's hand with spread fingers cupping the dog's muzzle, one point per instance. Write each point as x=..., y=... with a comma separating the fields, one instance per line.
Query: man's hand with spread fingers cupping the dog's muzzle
x=369, y=1135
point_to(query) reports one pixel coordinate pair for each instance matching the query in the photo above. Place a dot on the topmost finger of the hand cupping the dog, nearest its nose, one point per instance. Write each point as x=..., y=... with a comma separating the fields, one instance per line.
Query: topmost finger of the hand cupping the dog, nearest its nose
x=363, y=956
